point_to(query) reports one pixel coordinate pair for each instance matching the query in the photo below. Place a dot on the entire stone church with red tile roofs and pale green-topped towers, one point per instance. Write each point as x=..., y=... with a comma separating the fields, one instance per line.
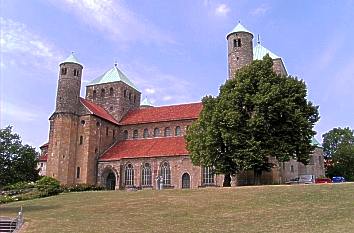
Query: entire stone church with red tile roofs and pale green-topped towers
x=114, y=139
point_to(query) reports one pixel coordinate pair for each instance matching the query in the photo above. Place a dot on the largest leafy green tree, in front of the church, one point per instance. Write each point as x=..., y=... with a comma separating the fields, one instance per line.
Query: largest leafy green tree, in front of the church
x=256, y=115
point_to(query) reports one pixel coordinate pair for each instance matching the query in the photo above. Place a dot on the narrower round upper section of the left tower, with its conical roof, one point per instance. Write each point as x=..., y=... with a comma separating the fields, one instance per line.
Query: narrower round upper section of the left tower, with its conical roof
x=69, y=85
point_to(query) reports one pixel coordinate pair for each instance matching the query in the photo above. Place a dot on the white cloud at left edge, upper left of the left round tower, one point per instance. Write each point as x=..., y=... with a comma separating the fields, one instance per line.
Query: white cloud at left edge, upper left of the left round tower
x=21, y=46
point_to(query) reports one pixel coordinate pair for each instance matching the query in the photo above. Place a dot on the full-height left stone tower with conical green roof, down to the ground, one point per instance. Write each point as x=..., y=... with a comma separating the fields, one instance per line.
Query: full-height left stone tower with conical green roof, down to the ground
x=63, y=132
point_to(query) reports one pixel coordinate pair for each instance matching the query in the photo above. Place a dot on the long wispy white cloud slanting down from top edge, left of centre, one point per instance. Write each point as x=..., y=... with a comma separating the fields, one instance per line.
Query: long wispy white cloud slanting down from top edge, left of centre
x=114, y=20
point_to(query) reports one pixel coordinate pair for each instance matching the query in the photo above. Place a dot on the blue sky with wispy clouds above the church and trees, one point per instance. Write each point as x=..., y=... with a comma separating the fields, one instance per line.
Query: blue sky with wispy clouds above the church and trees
x=174, y=51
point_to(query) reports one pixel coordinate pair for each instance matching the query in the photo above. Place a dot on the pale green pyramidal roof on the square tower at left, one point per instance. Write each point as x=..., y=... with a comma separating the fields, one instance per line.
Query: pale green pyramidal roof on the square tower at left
x=113, y=75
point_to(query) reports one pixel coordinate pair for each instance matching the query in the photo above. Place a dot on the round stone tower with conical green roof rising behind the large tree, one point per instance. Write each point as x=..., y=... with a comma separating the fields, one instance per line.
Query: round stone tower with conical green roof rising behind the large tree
x=239, y=49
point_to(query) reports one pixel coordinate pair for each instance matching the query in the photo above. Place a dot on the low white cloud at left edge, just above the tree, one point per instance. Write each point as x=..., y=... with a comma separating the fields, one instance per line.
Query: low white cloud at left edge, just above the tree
x=17, y=113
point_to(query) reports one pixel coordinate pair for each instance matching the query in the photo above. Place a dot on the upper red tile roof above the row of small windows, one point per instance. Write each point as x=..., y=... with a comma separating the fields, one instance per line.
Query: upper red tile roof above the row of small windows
x=164, y=113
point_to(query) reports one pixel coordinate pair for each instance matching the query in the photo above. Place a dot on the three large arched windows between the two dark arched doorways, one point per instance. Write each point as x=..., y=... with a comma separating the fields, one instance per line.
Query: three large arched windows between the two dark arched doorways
x=146, y=174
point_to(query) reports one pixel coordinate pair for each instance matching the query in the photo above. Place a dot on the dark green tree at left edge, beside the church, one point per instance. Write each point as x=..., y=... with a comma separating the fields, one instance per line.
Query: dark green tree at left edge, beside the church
x=17, y=162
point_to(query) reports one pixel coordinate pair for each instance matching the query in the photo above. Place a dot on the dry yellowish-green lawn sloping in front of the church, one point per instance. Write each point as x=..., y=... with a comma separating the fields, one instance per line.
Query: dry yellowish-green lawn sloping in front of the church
x=297, y=208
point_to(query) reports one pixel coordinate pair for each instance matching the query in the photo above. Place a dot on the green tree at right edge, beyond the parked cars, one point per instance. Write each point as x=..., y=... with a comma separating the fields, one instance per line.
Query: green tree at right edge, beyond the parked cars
x=338, y=146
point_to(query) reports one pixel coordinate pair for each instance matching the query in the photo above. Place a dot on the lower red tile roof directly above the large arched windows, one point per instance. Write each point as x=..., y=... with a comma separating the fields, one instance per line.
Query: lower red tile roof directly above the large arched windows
x=143, y=148
